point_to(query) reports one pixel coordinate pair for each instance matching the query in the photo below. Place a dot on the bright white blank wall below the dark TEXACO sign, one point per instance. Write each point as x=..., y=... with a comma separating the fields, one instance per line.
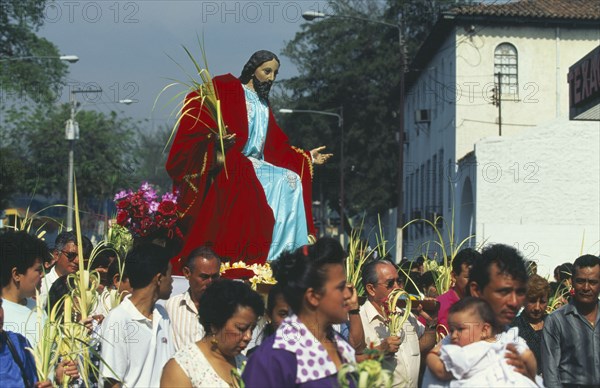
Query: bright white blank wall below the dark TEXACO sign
x=540, y=191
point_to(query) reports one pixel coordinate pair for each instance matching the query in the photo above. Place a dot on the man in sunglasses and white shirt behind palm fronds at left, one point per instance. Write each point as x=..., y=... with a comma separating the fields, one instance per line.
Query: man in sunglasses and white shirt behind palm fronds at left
x=66, y=261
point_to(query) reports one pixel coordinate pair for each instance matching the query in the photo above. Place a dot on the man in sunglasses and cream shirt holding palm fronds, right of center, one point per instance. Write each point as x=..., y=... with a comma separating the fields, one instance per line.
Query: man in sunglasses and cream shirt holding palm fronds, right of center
x=403, y=352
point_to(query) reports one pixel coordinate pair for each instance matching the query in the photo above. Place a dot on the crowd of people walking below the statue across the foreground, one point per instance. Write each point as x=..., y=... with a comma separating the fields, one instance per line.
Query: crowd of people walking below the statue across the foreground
x=220, y=332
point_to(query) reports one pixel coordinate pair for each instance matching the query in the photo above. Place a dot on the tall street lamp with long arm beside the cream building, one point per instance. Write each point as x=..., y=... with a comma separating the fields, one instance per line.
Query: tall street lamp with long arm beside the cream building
x=312, y=15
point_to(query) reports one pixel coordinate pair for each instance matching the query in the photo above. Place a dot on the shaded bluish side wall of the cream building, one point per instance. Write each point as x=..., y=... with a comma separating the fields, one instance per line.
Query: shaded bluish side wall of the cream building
x=434, y=91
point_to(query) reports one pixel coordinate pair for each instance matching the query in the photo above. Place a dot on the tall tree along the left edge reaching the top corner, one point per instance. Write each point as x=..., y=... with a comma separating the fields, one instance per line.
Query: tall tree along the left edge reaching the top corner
x=30, y=72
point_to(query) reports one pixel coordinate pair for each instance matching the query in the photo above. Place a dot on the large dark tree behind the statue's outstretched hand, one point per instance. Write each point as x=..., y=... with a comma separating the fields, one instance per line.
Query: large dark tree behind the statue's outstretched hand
x=355, y=64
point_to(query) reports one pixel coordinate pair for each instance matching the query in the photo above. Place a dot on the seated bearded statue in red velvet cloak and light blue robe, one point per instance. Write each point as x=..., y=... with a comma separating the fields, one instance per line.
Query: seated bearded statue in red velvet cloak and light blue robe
x=254, y=201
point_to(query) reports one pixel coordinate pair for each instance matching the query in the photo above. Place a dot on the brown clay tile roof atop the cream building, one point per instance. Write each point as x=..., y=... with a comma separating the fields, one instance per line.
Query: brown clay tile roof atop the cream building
x=550, y=9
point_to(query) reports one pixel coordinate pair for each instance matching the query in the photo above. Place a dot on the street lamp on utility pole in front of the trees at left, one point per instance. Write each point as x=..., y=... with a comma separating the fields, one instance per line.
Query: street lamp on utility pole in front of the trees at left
x=72, y=134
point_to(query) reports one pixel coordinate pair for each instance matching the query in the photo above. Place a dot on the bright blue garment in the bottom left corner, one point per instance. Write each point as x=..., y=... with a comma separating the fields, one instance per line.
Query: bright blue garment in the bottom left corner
x=10, y=374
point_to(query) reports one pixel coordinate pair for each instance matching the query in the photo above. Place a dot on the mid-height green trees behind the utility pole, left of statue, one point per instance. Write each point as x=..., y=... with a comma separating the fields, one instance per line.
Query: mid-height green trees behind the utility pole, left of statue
x=112, y=153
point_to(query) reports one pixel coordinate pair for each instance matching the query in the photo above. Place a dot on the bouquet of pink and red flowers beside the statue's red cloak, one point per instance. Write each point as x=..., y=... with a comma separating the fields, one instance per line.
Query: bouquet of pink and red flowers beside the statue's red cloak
x=143, y=215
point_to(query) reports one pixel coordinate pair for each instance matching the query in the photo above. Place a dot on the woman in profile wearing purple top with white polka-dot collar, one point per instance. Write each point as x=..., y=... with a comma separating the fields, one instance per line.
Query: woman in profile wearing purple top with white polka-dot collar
x=305, y=350
